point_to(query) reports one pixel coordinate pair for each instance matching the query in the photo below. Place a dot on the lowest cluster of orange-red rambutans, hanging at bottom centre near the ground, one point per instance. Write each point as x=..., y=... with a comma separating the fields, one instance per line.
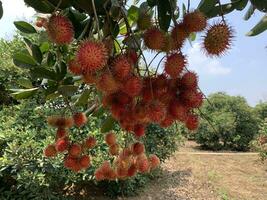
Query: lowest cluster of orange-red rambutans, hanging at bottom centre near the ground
x=128, y=161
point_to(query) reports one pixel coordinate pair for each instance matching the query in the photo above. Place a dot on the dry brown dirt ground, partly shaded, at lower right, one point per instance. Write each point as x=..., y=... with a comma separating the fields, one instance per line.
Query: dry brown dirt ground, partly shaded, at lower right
x=194, y=174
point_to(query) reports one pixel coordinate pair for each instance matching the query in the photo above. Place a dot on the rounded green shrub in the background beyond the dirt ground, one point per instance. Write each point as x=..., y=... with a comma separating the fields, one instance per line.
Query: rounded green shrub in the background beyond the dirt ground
x=233, y=123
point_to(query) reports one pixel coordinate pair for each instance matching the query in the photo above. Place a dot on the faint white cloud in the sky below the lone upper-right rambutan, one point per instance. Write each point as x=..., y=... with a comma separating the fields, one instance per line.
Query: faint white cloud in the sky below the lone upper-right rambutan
x=204, y=65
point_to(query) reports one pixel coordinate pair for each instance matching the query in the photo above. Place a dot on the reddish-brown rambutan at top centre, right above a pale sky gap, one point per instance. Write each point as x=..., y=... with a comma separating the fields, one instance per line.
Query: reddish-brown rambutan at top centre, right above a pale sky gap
x=154, y=39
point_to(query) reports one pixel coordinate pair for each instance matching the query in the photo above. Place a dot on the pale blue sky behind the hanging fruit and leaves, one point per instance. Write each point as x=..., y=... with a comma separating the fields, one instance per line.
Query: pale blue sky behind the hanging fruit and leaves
x=242, y=71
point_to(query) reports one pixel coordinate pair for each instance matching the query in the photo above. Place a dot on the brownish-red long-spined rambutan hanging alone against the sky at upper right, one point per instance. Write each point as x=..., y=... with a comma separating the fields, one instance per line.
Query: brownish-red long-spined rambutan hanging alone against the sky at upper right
x=218, y=39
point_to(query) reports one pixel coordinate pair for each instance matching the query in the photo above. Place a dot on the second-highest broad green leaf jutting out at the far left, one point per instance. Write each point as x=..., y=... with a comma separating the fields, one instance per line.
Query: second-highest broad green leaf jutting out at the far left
x=24, y=60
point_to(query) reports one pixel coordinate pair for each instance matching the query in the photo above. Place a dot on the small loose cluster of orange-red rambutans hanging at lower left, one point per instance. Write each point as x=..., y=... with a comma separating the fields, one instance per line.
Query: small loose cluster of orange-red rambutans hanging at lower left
x=76, y=157
